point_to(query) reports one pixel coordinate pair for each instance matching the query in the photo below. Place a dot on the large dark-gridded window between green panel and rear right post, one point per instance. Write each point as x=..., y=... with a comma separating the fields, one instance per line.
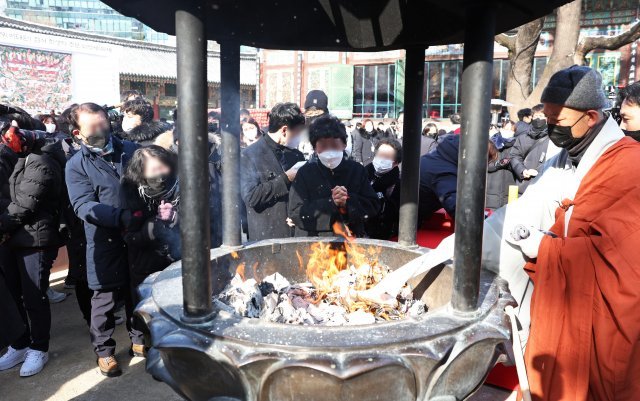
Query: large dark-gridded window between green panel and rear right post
x=373, y=90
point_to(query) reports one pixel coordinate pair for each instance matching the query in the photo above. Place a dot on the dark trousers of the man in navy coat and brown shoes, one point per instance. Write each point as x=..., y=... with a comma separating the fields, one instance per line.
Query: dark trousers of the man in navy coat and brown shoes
x=103, y=323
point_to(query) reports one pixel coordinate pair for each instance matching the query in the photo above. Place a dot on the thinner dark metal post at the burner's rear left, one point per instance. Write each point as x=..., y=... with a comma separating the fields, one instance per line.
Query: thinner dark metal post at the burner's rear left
x=230, y=128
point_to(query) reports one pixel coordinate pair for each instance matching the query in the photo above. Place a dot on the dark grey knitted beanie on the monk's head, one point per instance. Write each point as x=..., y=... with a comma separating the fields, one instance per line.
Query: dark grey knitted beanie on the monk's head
x=578, y=87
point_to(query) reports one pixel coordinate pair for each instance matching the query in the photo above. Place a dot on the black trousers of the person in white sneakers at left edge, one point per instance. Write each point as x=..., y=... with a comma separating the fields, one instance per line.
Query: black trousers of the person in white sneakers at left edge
x=26, y=271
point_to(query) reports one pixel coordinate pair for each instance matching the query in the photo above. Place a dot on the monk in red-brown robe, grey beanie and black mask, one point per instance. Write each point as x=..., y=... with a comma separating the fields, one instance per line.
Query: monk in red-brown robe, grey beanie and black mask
x=584, y=343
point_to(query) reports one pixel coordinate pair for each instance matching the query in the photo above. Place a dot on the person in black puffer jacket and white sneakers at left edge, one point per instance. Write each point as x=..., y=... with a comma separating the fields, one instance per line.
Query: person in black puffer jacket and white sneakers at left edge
x=29, y=227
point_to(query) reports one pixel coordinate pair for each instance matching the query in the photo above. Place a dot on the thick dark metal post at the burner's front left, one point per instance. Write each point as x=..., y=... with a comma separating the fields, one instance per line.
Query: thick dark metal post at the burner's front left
x=194, y=180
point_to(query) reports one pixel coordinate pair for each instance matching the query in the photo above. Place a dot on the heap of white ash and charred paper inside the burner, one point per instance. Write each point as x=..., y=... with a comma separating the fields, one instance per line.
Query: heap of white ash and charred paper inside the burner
x=275, y=299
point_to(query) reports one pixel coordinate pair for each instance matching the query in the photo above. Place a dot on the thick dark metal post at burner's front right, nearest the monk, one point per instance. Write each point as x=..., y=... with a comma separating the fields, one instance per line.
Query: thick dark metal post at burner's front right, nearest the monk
x=477, y=82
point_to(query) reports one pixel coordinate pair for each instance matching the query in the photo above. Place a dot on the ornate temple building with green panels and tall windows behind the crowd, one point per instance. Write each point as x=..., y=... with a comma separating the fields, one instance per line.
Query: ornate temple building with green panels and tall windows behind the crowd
x=371, y=84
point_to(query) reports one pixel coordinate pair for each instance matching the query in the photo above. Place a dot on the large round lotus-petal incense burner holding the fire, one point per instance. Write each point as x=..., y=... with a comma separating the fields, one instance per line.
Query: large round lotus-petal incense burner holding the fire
x=439, y=356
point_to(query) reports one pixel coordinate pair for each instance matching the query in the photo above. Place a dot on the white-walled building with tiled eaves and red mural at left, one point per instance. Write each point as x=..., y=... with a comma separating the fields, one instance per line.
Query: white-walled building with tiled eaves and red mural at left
x=44, y=68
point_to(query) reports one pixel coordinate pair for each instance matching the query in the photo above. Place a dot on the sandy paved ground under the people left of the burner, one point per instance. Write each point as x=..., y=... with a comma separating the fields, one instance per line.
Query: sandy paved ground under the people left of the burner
x=71, y=373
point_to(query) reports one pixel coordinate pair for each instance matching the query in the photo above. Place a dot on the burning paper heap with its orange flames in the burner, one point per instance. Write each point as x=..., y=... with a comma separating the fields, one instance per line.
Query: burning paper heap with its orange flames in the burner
x=336, y=273
